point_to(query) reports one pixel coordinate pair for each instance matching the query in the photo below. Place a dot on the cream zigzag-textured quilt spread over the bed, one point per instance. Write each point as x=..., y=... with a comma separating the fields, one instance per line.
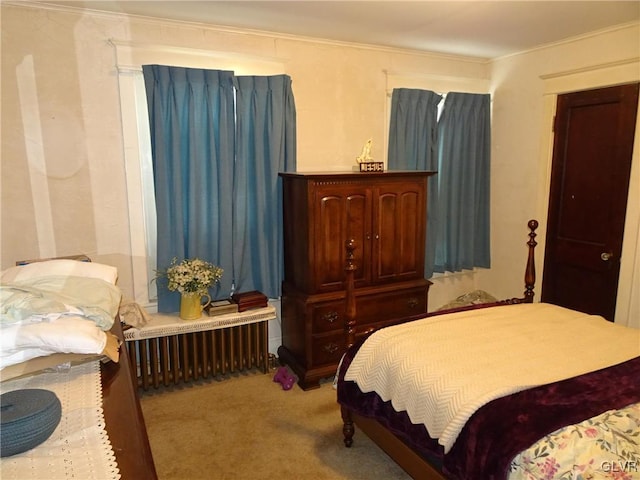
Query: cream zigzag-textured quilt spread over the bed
x=441, y=369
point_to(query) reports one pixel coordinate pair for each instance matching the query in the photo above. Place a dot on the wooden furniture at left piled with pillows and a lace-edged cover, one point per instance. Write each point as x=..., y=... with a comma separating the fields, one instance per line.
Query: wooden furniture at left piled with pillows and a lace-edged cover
x=46, y=344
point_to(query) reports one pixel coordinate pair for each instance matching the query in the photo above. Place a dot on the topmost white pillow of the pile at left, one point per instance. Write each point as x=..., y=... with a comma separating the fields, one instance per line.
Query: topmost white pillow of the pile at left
x=62, y=267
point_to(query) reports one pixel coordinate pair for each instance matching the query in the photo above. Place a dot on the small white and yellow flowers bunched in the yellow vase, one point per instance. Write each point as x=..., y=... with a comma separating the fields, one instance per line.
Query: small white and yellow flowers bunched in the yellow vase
x=191, y=276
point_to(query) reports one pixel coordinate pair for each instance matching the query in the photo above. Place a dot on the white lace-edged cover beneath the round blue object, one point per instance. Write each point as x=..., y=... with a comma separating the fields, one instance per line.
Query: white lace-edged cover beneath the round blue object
x=79, y=447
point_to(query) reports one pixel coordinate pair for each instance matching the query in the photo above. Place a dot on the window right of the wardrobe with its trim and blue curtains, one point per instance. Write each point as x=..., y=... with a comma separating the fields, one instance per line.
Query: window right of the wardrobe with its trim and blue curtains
x=457, y=226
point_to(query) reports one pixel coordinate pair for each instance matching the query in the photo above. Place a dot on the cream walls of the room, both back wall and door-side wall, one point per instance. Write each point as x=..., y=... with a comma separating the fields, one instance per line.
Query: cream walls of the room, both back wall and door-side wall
x=63, y=172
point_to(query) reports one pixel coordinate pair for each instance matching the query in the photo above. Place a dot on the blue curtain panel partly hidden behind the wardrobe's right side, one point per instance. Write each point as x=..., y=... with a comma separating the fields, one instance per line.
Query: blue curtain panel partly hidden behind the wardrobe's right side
x=413, y=146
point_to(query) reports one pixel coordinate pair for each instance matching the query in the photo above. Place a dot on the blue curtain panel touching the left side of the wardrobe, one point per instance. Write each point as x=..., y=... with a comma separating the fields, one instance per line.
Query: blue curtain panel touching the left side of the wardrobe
x=266, y=145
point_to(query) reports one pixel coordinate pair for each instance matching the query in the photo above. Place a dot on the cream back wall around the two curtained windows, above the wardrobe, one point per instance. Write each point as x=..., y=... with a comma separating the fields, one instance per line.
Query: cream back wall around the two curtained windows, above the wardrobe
x=64, y=179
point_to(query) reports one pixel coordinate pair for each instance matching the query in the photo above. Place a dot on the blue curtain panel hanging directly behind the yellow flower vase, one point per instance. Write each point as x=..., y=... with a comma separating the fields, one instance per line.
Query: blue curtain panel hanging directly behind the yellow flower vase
x=191, y=116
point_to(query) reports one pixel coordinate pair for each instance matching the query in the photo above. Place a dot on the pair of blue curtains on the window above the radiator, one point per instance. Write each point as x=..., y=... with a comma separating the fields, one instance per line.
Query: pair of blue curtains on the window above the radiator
x=212, y=189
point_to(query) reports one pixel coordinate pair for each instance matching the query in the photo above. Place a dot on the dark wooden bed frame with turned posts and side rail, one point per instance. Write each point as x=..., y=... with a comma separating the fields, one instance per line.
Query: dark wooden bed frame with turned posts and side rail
x=411, y=461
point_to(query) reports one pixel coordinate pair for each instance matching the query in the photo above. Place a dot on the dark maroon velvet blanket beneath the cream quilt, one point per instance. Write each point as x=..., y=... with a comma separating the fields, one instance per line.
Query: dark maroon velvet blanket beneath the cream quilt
x=501, y=429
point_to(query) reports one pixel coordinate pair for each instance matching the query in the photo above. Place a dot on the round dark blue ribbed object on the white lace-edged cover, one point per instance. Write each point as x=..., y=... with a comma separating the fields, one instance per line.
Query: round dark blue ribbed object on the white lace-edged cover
x=28, y=417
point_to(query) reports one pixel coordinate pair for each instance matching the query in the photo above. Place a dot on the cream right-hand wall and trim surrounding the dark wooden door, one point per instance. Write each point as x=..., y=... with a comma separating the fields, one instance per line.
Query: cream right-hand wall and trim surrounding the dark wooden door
x=525, y=90
